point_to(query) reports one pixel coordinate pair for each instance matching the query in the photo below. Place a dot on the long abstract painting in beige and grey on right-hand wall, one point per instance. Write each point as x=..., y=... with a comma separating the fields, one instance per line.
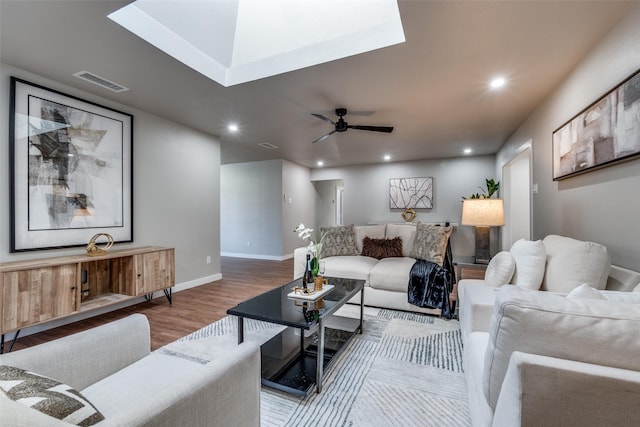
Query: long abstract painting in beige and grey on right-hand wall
x=604, y=133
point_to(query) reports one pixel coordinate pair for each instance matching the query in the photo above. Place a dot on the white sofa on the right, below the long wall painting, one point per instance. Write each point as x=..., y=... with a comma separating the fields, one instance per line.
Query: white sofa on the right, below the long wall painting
x=552, y=357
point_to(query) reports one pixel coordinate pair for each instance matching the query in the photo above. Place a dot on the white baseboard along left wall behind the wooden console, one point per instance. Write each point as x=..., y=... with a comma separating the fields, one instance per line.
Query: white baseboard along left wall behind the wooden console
x=85, y=315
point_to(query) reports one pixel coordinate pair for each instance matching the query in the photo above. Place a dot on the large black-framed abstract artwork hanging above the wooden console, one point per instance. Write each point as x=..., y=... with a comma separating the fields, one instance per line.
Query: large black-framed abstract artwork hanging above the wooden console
x=71, y=169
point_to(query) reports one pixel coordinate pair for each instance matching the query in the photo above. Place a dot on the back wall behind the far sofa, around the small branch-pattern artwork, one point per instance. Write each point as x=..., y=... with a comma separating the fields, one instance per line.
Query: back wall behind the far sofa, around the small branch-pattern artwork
x=366, y=192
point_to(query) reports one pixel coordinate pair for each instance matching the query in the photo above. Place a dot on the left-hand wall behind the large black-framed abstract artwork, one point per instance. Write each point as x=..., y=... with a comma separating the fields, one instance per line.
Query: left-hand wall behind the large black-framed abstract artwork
x=176, y=187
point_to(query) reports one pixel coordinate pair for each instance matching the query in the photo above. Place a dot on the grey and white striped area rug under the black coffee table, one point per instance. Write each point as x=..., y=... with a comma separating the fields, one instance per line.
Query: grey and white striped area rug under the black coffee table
x=404, y=370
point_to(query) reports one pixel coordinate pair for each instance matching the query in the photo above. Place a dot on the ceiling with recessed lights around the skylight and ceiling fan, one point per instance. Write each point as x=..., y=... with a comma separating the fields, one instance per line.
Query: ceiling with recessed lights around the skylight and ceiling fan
x=432, y=88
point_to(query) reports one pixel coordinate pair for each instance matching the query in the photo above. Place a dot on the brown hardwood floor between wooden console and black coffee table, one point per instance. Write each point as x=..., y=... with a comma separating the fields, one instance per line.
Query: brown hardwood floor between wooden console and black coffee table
x=193, y=308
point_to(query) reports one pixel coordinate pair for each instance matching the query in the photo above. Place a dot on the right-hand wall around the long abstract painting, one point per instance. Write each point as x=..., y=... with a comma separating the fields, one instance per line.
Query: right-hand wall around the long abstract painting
x=602, y=205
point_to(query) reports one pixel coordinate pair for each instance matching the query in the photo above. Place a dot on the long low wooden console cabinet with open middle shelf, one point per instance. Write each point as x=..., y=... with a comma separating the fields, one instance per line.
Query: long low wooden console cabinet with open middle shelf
x=38, y=291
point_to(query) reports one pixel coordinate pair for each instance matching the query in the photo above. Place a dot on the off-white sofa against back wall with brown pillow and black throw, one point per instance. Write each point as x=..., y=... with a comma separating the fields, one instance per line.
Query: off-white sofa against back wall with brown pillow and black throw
x=386, y=279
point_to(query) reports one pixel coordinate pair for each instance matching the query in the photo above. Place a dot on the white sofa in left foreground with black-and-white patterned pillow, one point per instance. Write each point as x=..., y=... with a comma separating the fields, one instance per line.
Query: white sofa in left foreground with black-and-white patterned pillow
x=113, y=368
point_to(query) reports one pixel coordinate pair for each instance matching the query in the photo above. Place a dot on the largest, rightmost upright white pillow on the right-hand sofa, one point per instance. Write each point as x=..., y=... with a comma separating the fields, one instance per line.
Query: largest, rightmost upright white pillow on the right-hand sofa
x=572, y=262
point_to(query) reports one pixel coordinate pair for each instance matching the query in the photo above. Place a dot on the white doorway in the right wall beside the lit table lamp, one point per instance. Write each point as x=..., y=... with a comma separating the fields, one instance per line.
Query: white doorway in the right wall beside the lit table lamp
x=517, y=194
